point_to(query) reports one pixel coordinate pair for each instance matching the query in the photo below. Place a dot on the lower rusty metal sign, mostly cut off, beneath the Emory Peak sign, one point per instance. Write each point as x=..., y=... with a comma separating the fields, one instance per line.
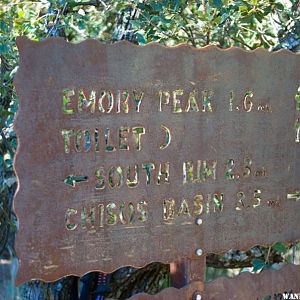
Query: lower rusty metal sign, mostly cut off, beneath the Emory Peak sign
x=245, y=286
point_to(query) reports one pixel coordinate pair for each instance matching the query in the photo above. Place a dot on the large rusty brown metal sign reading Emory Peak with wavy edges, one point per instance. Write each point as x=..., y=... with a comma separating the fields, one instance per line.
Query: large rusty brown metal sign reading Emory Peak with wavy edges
x=129, y=155
